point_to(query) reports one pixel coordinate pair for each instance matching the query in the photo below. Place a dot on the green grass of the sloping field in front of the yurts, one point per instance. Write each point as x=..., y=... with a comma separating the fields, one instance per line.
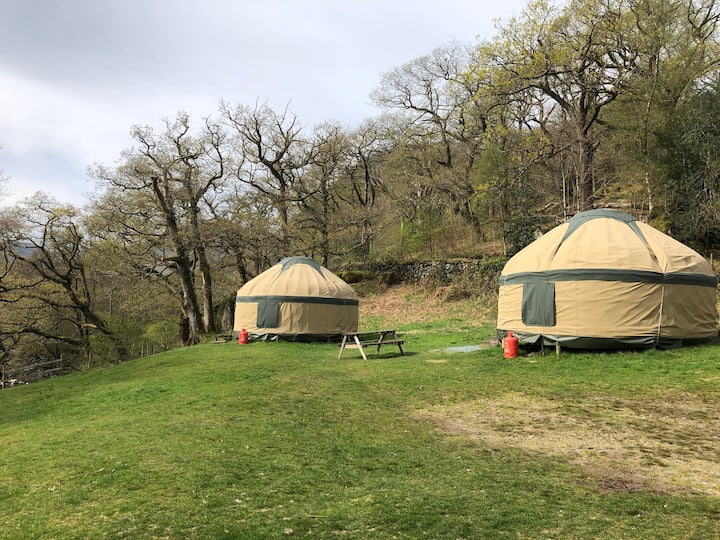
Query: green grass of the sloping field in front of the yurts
x=271, y=440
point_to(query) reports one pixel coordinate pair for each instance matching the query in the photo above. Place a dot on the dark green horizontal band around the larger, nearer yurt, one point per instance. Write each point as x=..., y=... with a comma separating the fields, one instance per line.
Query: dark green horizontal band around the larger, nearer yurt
x=604, y=274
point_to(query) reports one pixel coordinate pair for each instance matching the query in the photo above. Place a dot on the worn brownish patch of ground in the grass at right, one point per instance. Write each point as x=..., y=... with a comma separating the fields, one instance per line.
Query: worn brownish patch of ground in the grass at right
x=670, y=443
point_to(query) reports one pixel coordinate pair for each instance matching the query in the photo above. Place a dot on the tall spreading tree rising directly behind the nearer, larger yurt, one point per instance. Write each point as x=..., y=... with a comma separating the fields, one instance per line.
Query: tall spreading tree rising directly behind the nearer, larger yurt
x=572, y=56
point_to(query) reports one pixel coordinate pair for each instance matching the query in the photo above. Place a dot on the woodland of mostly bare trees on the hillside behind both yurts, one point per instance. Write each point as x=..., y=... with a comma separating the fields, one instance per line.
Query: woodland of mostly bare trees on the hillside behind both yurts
x=477, y=149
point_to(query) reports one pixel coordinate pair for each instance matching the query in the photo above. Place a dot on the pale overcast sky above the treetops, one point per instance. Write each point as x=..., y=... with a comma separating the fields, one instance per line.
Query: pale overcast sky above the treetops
x=75, y=75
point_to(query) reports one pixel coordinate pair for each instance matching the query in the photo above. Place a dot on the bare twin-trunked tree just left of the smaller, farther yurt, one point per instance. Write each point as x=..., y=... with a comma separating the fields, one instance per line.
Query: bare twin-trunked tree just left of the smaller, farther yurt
x=173, y=173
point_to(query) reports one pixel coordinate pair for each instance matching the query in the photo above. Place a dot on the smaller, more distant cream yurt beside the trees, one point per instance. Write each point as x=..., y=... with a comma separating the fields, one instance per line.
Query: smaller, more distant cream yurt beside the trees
x=298, y=300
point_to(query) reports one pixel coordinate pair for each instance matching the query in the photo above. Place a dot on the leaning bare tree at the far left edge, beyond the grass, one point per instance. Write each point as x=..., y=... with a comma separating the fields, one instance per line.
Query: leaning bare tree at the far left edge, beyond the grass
x=44, y=270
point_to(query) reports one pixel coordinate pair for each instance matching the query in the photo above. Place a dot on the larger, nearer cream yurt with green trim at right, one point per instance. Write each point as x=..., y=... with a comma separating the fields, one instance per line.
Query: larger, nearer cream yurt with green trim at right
x=605, y=280
